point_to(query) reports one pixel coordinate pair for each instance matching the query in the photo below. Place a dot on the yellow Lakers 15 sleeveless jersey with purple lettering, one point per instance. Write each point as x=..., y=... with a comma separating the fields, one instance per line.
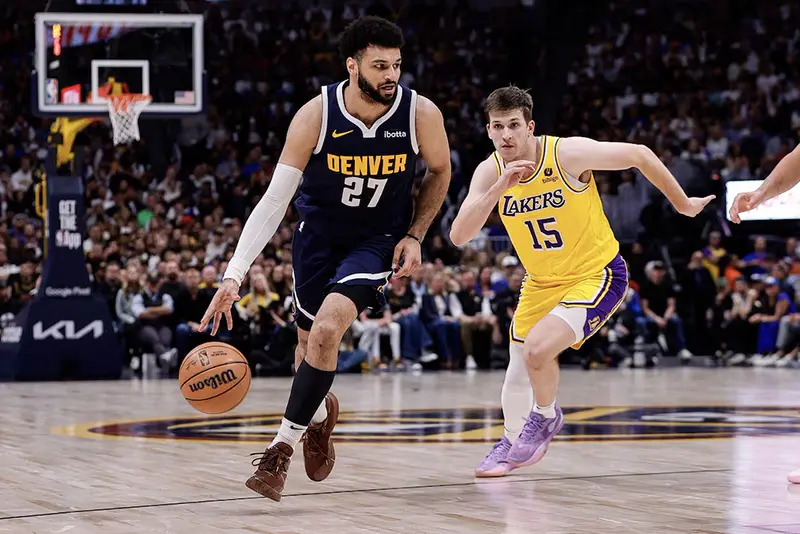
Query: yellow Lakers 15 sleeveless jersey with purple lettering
x=556, y=223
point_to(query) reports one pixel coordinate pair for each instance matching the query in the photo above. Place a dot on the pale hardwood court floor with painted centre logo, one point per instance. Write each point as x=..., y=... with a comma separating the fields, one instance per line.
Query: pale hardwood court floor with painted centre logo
x=406, y=449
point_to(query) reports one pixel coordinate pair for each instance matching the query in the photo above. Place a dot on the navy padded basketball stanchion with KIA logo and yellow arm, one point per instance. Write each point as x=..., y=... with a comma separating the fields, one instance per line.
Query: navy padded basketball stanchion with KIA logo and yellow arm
x=65, y=331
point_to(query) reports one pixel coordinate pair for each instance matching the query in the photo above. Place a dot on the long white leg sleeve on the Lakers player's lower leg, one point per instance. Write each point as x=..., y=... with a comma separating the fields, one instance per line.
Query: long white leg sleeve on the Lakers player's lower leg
x=516, y=397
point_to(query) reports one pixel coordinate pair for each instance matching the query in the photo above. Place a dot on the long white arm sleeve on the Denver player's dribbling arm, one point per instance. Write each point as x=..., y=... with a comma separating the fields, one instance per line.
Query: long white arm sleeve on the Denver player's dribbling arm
x=264, y=221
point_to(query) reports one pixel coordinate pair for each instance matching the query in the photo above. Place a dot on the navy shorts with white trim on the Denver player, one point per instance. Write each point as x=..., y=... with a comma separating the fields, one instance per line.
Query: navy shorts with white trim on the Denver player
x=320, y=262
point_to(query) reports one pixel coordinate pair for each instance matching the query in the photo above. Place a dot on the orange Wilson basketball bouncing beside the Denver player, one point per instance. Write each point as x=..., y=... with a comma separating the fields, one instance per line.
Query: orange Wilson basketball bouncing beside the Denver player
x=214, y=377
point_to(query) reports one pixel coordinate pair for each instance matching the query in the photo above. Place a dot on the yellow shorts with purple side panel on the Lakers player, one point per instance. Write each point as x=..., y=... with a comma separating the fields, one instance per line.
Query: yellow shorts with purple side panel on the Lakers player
x=585, y=305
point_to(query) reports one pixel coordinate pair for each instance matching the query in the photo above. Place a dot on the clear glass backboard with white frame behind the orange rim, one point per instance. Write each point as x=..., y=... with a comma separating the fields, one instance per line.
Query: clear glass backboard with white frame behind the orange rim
x=81, y=57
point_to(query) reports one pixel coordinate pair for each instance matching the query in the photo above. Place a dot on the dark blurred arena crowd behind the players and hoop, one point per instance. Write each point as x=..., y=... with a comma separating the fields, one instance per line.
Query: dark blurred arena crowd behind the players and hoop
x=711, y=86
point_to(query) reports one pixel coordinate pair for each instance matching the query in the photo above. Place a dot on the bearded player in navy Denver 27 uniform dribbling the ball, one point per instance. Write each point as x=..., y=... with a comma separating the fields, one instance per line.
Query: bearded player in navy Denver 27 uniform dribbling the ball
x=356, y=146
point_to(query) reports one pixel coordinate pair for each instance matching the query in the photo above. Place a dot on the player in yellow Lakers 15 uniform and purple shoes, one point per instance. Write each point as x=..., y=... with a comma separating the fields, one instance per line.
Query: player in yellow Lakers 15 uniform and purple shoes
x=575, y=278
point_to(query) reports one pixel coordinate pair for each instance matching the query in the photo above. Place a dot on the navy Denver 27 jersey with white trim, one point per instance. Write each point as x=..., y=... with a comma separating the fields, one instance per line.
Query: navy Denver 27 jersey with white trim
x=358, y=181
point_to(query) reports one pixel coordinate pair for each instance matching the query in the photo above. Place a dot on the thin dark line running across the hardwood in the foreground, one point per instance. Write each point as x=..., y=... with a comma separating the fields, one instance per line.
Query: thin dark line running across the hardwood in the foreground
x=367, y=490
